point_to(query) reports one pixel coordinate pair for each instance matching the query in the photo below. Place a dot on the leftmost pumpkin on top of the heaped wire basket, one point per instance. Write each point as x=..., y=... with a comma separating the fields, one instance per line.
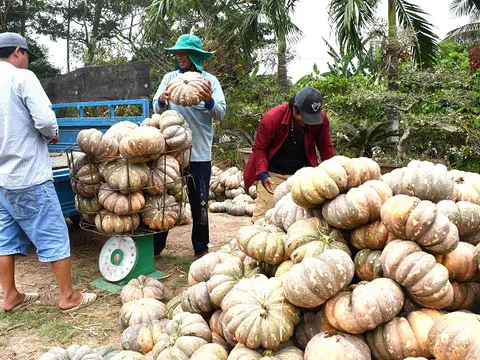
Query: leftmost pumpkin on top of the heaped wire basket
x=95, y=144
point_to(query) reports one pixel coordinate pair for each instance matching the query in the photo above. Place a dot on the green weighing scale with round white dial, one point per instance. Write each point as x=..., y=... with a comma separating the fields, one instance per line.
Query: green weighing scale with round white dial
x=123, y=258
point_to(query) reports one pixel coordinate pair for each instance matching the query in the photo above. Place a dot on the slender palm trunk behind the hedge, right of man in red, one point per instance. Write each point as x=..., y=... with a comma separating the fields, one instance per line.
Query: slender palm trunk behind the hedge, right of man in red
x=392, y=56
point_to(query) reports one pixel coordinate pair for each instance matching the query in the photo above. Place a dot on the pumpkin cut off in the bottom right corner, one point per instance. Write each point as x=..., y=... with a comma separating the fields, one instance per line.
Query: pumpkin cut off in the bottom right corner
x=455, y=336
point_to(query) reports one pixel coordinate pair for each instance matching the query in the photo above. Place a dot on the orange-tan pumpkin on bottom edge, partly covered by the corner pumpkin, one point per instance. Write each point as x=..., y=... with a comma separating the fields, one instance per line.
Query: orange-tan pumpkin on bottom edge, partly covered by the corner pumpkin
x=405, y=336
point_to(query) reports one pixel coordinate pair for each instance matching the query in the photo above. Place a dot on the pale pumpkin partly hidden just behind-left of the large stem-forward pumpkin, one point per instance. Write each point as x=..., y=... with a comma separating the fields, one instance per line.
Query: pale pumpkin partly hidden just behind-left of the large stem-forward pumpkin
x=225, y=276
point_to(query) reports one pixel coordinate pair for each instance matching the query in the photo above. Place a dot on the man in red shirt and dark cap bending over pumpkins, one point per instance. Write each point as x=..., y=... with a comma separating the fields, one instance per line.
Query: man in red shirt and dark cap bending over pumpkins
x=287, y=139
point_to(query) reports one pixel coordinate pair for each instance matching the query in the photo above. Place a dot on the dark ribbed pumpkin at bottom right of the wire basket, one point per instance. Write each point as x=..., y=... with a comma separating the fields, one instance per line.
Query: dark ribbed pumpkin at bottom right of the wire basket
x=160, y=212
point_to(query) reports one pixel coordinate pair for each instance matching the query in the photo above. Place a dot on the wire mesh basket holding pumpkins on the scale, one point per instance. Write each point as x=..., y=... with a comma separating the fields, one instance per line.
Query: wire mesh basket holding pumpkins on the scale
x=130, y=195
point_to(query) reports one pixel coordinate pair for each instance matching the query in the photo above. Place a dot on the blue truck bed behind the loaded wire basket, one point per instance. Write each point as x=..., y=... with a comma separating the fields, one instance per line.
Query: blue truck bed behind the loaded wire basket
x=69, y=127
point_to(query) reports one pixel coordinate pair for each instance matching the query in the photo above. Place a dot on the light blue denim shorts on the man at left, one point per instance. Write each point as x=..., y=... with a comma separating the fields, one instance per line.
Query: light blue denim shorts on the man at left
x=33, y=215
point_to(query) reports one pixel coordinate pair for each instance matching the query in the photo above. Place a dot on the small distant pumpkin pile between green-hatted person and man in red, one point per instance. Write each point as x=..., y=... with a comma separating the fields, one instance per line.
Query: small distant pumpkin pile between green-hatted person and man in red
x=227, y=193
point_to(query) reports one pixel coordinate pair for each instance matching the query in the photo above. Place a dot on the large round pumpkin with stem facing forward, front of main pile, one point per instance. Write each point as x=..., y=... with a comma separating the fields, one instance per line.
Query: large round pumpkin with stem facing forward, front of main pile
x=257, y=313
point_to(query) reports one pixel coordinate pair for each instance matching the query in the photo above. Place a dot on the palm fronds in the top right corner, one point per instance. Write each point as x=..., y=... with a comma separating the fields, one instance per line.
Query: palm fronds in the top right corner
x=470, y=31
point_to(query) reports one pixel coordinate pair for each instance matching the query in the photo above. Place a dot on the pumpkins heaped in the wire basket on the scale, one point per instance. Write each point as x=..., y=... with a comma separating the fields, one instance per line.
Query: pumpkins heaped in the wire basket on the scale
x=132, y=174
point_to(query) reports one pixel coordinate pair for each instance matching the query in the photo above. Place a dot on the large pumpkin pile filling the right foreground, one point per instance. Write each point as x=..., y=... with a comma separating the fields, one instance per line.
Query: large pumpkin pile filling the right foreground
x=347, y=265
